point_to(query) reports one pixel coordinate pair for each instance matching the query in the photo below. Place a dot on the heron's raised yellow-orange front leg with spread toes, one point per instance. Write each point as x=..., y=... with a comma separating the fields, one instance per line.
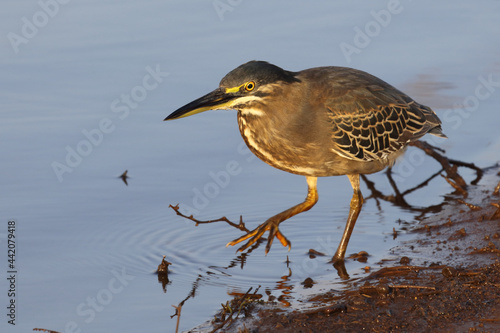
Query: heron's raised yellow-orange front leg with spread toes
x=272, y=224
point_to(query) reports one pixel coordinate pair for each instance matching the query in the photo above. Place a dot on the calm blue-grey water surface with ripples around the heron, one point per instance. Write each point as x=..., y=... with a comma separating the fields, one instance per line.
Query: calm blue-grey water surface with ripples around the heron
x=84, y=91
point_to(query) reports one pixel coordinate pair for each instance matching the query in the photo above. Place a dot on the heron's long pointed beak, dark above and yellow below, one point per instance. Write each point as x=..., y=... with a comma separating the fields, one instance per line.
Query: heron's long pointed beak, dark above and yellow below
x=218, y=99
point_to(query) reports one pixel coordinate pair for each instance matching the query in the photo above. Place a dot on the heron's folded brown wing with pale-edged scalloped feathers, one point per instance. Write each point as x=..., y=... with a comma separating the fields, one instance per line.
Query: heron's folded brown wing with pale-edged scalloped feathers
x=371, y=120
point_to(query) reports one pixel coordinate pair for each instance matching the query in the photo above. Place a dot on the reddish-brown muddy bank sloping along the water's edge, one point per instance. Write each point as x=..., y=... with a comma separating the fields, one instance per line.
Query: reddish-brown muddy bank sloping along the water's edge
x=447, y=279
